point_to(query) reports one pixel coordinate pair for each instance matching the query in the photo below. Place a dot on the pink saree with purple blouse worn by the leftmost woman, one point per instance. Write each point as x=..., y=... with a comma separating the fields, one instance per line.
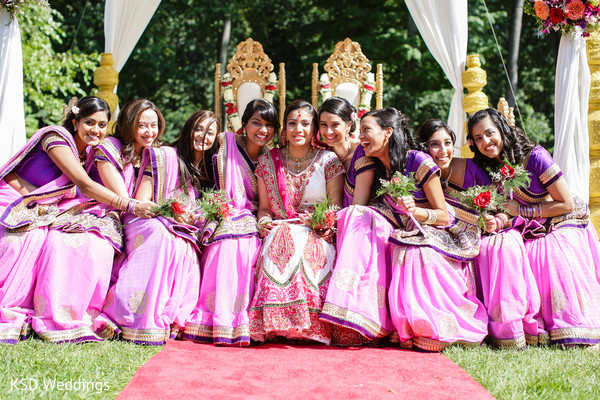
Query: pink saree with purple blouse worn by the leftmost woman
x=24, y=225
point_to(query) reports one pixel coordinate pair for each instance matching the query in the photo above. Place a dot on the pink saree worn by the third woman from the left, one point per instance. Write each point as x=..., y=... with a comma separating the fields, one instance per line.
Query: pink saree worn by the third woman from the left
x=158, y=272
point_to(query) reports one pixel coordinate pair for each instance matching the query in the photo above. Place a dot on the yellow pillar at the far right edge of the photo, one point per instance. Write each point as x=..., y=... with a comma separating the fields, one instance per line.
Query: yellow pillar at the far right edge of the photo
x=593, y=53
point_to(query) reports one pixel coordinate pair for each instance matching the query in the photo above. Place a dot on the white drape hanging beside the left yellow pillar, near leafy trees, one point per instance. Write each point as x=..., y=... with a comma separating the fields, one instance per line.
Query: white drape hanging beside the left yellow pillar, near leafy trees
x=124, y=23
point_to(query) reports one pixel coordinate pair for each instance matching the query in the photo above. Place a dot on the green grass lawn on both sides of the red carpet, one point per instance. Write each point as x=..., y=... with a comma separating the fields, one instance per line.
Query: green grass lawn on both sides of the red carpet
x=29, y=370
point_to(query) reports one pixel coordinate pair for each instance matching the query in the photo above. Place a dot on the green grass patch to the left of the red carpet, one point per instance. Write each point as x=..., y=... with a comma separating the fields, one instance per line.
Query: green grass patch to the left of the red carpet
x=29, y=369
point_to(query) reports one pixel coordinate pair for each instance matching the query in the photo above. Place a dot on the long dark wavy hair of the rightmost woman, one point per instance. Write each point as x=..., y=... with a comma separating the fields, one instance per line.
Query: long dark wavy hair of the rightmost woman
x=516, y=146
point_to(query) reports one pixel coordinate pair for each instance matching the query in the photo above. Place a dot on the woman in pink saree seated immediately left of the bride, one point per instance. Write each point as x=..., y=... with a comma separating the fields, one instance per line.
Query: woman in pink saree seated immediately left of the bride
x=231, y=248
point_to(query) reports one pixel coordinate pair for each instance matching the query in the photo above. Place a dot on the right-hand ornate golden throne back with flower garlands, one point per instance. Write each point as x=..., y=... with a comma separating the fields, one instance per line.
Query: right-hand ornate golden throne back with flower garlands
x=348, y=75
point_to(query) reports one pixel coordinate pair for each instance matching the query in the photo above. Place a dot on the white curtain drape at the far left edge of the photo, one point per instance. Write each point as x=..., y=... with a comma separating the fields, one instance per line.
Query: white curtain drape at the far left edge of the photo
x=12, y=114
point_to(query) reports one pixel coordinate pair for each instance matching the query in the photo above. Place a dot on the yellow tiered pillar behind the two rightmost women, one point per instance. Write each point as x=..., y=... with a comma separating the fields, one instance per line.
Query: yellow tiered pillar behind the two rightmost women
x=474, y=79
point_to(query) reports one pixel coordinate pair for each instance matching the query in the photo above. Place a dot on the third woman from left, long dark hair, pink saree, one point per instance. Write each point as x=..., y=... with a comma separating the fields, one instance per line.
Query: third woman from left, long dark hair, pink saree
x=159, y=273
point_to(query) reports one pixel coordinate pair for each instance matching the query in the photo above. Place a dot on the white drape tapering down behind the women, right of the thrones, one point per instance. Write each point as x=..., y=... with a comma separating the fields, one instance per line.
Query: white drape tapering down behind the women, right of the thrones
x=444, y=28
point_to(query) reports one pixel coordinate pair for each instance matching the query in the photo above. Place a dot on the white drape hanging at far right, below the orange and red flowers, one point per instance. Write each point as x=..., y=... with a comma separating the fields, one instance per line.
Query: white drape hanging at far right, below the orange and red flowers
x=572, y=88
